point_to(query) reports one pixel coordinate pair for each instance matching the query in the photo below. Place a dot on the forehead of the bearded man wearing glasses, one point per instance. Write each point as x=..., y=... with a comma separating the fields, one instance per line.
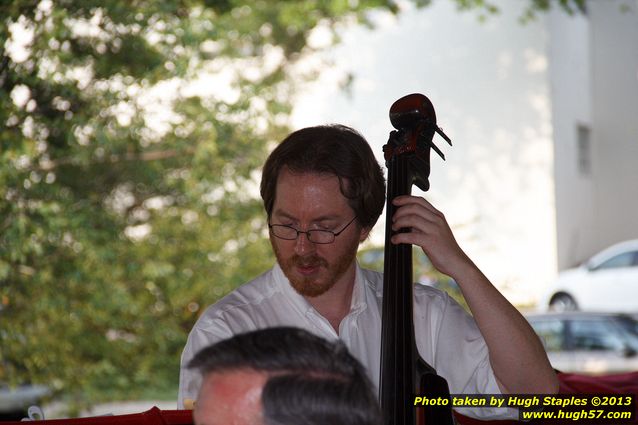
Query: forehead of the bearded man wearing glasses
x=302, y=194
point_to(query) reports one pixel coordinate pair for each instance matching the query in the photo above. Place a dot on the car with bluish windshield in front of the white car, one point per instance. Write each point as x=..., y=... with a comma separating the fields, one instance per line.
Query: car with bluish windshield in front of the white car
x=591, y=343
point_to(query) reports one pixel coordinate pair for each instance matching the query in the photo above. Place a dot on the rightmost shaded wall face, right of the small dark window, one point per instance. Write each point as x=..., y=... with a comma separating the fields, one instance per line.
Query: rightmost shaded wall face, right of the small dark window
x=614, y=40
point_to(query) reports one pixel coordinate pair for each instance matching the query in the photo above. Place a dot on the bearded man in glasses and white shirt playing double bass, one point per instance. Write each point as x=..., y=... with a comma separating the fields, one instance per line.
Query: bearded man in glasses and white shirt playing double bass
x=323, y=191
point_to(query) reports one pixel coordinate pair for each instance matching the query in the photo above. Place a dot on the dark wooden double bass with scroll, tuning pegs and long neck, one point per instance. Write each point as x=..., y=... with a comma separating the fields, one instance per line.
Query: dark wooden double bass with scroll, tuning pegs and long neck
x=404, y=373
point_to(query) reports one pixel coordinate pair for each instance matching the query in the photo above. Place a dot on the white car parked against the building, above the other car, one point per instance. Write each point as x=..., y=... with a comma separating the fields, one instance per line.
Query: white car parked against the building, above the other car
x=608, y=281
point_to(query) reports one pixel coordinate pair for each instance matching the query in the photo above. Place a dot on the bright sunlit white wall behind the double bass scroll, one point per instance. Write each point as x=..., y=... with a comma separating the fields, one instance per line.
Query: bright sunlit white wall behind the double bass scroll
x=489, y=84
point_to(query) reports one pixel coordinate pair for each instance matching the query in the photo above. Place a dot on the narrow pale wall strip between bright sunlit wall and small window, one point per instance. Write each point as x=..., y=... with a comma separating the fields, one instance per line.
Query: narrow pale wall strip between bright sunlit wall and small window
x=570, y=82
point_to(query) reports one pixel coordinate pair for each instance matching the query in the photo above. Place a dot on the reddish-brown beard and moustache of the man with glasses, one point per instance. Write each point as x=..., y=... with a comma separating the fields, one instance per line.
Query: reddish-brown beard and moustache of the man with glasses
x=325, y=276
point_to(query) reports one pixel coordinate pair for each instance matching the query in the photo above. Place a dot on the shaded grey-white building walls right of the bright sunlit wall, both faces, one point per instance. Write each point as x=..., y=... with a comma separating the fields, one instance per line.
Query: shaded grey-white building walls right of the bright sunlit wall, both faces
x=594, y=82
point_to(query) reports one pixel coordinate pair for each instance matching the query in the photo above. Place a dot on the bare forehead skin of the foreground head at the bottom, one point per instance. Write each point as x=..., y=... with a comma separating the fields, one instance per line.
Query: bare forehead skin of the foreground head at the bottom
x=230, y=398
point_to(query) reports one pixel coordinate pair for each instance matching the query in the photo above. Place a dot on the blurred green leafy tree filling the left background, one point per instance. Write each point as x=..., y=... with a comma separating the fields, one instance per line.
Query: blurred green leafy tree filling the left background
x=127, y=187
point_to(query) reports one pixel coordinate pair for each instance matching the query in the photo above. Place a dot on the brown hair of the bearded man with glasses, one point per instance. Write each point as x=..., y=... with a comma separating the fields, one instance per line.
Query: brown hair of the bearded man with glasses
x=330, y=149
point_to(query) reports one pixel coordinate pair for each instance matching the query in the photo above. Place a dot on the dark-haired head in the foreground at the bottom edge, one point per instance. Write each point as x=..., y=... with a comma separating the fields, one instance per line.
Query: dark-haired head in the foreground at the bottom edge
x=282, y=376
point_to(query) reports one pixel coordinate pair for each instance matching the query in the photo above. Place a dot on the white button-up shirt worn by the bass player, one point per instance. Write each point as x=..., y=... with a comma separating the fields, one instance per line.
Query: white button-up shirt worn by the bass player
x=447, y=338
